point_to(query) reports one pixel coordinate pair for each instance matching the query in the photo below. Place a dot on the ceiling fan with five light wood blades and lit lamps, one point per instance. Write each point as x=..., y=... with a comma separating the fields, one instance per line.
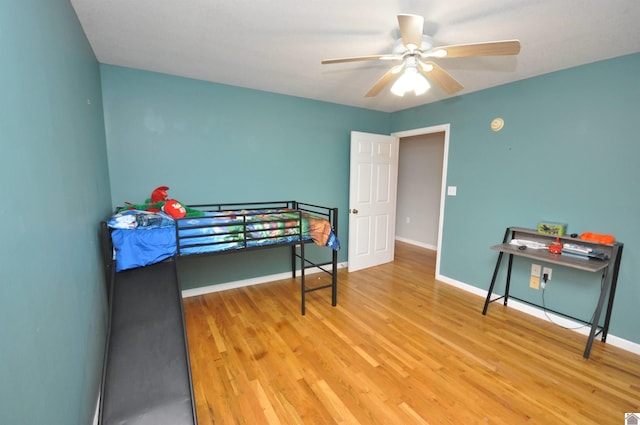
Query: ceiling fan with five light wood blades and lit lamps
x=415, y=51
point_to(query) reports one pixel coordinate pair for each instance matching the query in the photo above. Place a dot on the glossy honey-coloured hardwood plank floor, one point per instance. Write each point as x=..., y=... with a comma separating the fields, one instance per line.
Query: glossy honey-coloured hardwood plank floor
x=400, y=348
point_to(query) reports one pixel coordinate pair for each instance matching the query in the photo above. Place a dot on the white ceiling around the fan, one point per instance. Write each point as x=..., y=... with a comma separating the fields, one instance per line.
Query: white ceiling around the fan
x=277, y=45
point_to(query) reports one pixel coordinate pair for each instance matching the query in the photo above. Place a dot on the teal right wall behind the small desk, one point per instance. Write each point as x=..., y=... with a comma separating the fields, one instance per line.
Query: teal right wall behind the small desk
x=568, y=152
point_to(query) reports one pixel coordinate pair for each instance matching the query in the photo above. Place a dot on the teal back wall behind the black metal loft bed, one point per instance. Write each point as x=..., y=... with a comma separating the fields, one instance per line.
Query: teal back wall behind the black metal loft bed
x=215, y=143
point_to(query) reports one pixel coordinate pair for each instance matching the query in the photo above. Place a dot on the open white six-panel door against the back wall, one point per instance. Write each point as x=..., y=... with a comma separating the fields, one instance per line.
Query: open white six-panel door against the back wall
x=372, y=199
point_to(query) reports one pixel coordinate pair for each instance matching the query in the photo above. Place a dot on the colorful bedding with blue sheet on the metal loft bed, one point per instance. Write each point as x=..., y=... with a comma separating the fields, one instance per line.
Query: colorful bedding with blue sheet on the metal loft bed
x=141, y=238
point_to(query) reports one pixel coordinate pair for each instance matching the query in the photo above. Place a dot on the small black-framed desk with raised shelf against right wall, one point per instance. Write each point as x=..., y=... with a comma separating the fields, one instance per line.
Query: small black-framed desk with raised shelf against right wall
x=609, y=269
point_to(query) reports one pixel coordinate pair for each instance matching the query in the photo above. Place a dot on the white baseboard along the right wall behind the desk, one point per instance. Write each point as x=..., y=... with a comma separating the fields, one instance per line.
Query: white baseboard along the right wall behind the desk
x=541, y=314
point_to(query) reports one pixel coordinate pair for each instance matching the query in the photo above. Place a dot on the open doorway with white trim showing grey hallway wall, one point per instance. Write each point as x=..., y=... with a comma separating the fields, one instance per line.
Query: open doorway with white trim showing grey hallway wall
x=422, y=170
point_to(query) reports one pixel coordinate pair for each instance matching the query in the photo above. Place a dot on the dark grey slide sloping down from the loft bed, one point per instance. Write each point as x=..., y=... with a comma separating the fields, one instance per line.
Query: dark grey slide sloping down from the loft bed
x=147, y=376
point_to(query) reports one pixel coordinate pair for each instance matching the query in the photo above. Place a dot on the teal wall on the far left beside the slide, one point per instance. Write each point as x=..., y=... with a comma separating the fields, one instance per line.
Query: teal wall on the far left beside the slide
x=54, y=188
